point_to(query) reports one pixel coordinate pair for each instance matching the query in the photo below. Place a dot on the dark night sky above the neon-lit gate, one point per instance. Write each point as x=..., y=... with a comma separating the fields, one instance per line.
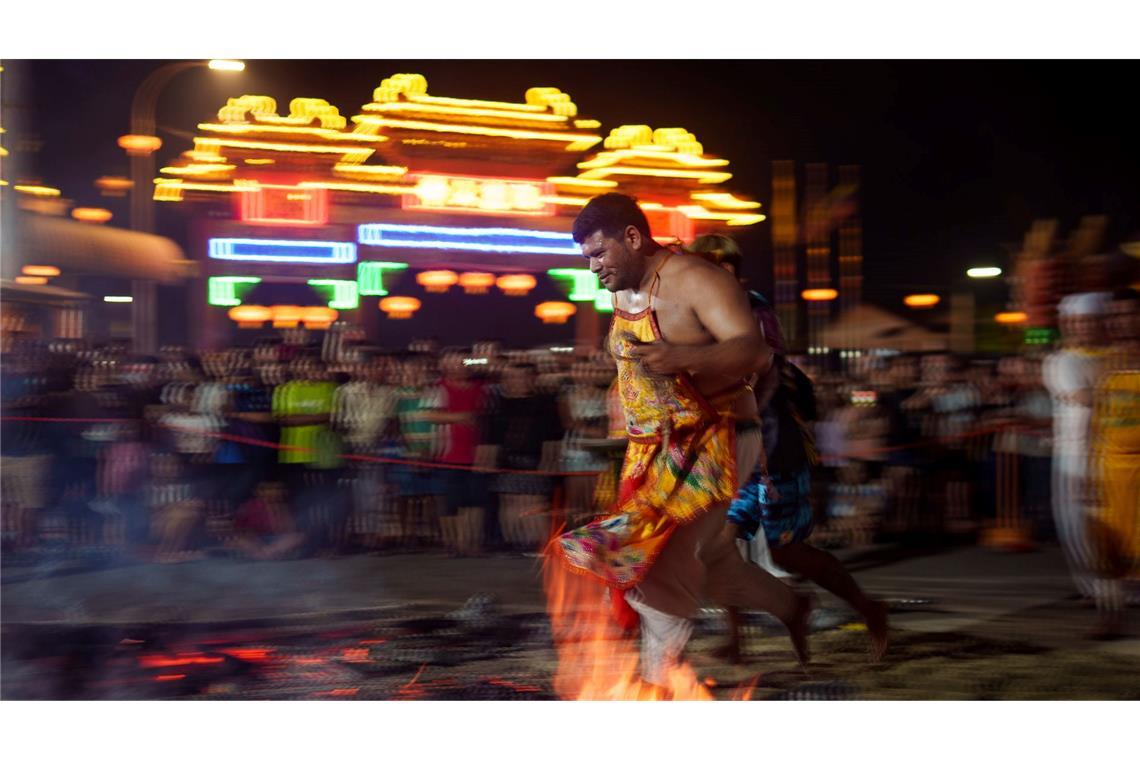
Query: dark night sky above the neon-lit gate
x=958, y=158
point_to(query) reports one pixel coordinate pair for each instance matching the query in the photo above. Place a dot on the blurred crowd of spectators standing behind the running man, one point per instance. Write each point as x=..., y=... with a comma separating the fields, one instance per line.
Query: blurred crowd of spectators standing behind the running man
x=314, y=444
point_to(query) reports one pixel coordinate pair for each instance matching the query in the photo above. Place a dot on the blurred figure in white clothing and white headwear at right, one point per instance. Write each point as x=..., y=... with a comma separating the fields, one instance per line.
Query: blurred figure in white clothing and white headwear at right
x=1072, y=375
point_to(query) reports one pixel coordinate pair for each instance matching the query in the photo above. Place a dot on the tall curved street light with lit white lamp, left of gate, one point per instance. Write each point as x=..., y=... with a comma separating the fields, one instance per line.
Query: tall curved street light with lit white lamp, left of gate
x=141, y=146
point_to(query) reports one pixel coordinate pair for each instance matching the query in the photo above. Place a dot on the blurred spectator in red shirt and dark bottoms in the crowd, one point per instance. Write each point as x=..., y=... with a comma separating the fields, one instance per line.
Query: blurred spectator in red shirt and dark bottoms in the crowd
x=461, y=401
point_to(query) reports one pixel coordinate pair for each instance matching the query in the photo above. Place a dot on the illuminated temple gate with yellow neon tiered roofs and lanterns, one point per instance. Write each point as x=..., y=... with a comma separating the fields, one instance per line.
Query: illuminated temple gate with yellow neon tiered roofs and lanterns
x=422, y=194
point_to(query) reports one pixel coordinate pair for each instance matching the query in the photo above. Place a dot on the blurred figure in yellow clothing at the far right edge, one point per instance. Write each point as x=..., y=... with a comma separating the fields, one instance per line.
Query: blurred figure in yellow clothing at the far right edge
x=1115, y=525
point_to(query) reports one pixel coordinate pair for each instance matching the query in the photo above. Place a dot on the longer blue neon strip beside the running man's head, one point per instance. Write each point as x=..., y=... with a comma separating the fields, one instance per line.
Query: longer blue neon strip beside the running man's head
x=492, y=240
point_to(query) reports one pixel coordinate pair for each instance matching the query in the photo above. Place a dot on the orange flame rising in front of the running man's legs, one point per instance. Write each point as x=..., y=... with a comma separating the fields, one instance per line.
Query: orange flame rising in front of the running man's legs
x=597, y=659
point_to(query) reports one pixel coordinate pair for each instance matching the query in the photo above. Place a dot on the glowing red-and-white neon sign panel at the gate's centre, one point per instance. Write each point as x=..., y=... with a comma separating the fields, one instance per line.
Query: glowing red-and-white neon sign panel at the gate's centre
x=470, y=194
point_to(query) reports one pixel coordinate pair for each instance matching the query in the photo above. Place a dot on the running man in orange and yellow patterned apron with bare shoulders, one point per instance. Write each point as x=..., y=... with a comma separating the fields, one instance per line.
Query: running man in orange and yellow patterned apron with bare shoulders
x=683, y=338
